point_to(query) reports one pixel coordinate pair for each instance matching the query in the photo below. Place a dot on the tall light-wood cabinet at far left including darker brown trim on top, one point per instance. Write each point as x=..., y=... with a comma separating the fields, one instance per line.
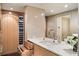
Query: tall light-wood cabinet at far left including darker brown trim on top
x=10, y=31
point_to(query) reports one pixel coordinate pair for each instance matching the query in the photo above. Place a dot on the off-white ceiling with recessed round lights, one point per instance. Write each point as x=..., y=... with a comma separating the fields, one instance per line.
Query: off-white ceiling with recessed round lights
x=56, y=7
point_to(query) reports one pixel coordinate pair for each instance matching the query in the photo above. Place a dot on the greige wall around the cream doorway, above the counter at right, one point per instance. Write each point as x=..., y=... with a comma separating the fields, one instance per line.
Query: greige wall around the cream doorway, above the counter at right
x=52, y=21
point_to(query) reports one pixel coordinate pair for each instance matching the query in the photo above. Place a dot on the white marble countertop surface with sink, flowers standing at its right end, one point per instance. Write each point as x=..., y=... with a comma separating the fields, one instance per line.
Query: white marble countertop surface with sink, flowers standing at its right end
x=62, y=49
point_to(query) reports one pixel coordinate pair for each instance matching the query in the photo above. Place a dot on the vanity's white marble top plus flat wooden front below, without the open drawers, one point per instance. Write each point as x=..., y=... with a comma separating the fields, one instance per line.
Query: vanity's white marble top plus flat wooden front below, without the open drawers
x=48, y=48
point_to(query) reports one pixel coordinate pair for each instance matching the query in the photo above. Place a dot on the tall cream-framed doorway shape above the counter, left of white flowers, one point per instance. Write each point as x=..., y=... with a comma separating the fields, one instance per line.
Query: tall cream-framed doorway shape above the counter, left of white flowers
x=63, y=27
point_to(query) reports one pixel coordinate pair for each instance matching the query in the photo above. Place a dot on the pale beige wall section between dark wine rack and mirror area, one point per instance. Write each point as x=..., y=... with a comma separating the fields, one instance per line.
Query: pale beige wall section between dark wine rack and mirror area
x=34, y=23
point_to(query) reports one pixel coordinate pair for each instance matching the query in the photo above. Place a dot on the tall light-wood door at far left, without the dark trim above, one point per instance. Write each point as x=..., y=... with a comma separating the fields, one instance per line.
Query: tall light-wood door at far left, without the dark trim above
x=10, y=33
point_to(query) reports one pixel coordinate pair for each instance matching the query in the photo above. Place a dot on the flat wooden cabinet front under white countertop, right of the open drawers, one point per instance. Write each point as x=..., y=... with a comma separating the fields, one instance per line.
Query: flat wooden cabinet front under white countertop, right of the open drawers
x=40, y=51
